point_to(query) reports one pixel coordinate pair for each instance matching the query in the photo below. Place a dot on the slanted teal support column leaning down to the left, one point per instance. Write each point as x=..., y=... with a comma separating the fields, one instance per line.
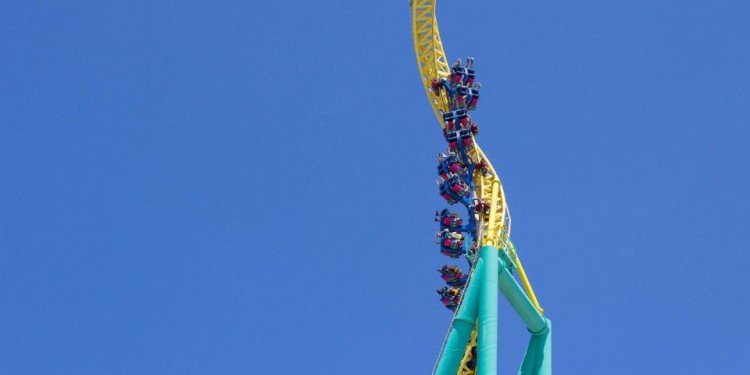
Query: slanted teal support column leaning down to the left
x=462, y=325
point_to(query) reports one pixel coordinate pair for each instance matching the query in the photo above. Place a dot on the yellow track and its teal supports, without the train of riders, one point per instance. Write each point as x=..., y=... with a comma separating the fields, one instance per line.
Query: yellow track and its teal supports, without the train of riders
x=494, y=230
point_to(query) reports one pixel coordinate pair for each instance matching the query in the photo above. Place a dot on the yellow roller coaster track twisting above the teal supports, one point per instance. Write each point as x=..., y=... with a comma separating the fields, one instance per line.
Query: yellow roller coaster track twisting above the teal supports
x=495, y=227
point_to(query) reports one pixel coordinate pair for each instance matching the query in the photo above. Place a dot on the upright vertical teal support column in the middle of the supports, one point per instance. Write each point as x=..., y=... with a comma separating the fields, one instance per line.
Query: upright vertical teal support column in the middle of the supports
x=487, y=337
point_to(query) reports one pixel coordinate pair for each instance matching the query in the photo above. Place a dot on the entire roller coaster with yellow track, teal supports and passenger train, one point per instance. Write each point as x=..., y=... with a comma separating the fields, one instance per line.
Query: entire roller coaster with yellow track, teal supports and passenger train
x=467, y=178
